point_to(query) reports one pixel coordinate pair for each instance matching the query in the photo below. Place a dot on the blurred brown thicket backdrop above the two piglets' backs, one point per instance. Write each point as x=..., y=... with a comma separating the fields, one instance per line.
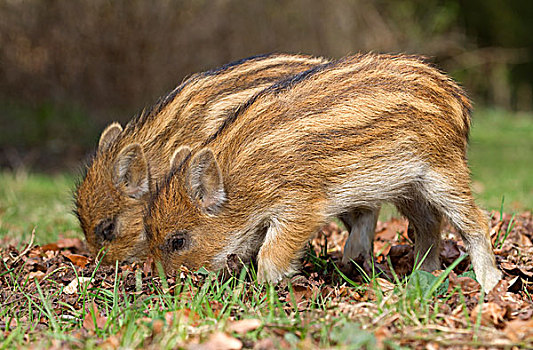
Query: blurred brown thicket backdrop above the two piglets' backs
x=111, y=58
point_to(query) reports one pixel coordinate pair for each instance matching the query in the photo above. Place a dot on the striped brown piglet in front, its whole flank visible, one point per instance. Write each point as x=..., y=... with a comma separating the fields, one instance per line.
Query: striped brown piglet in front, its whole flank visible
x=337, y=140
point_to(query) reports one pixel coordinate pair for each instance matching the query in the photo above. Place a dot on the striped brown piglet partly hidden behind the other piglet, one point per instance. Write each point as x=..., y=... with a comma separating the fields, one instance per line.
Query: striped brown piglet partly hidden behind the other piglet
x=129, y=162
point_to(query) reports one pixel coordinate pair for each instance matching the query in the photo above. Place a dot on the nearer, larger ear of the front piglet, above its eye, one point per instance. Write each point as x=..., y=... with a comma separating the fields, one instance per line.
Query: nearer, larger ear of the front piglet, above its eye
x=204, y=181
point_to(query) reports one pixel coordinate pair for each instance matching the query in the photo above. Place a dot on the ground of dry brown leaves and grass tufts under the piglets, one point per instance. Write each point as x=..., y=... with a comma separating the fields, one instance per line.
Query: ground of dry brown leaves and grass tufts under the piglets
x=57, y=296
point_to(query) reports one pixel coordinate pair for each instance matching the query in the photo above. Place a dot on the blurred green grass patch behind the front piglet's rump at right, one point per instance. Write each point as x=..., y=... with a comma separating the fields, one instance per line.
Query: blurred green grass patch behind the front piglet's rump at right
x=501, y=159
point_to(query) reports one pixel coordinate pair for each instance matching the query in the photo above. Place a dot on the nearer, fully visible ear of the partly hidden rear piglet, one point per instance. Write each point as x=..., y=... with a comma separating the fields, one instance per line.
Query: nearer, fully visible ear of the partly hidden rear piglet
x=130, y=172
